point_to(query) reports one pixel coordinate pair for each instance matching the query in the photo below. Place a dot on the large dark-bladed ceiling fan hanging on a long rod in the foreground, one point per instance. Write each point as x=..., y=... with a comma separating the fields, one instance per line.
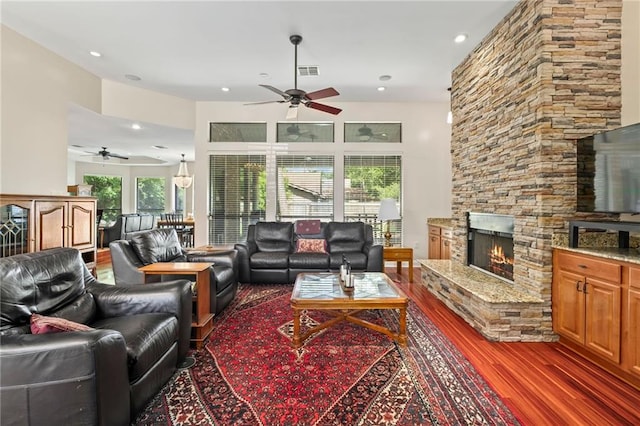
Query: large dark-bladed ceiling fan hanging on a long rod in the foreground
x=296, y=96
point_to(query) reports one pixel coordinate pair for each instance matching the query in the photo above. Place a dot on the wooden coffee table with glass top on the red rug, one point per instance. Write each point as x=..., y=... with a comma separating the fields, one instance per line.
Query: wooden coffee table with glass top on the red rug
x=322, y=291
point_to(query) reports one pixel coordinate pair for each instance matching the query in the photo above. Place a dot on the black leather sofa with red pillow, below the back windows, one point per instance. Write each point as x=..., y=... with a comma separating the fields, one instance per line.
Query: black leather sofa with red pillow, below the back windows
x=269, y=254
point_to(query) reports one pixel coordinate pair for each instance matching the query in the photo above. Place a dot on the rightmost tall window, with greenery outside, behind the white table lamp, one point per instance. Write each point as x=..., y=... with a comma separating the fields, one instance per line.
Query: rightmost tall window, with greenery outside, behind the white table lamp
x=367, y=180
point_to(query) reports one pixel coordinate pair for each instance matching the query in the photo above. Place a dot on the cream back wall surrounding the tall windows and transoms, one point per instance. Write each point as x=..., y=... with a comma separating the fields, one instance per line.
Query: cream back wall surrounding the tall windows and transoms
x=425, y=150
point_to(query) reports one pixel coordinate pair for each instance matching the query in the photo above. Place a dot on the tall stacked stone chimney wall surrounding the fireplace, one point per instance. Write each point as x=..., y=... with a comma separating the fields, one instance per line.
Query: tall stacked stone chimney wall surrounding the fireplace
x=548, y=74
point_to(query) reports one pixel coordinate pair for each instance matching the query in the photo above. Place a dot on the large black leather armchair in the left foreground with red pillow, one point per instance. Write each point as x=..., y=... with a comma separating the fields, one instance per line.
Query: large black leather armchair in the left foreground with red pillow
x=103, y=376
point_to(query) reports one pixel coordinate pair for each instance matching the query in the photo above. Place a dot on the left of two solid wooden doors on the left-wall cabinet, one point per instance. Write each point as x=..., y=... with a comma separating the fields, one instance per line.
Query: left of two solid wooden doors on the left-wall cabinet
x=51, y=220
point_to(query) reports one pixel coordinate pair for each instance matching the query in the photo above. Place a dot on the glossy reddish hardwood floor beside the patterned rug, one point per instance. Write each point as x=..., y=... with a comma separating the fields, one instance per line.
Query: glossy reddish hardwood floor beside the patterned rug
x=542, y=383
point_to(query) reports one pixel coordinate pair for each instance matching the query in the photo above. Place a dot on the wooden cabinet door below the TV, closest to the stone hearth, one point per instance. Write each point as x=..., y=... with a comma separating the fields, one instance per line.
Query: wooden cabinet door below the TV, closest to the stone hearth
x=568, y=305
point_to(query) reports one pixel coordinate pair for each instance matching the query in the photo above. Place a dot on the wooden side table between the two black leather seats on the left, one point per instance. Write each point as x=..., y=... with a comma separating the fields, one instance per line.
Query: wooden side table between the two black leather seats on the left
x=202, y=320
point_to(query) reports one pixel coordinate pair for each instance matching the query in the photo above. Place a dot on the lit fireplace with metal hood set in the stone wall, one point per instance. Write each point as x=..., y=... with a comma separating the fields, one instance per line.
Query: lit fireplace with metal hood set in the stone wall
x=490, y=244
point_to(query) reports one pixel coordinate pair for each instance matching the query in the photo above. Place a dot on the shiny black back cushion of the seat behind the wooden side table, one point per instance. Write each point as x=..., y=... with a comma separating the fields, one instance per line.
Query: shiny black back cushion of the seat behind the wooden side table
x=161, y=245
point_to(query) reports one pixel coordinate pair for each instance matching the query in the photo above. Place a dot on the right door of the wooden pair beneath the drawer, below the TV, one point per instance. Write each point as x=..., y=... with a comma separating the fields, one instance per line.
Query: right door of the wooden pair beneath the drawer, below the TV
x=603, y=306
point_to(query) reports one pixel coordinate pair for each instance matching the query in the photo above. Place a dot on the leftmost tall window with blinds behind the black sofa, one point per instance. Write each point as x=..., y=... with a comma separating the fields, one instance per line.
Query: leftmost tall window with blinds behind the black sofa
x=237, y=195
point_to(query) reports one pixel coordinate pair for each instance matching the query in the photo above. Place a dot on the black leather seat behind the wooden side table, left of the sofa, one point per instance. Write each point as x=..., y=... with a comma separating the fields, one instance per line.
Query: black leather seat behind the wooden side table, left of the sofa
x=163, y=245
